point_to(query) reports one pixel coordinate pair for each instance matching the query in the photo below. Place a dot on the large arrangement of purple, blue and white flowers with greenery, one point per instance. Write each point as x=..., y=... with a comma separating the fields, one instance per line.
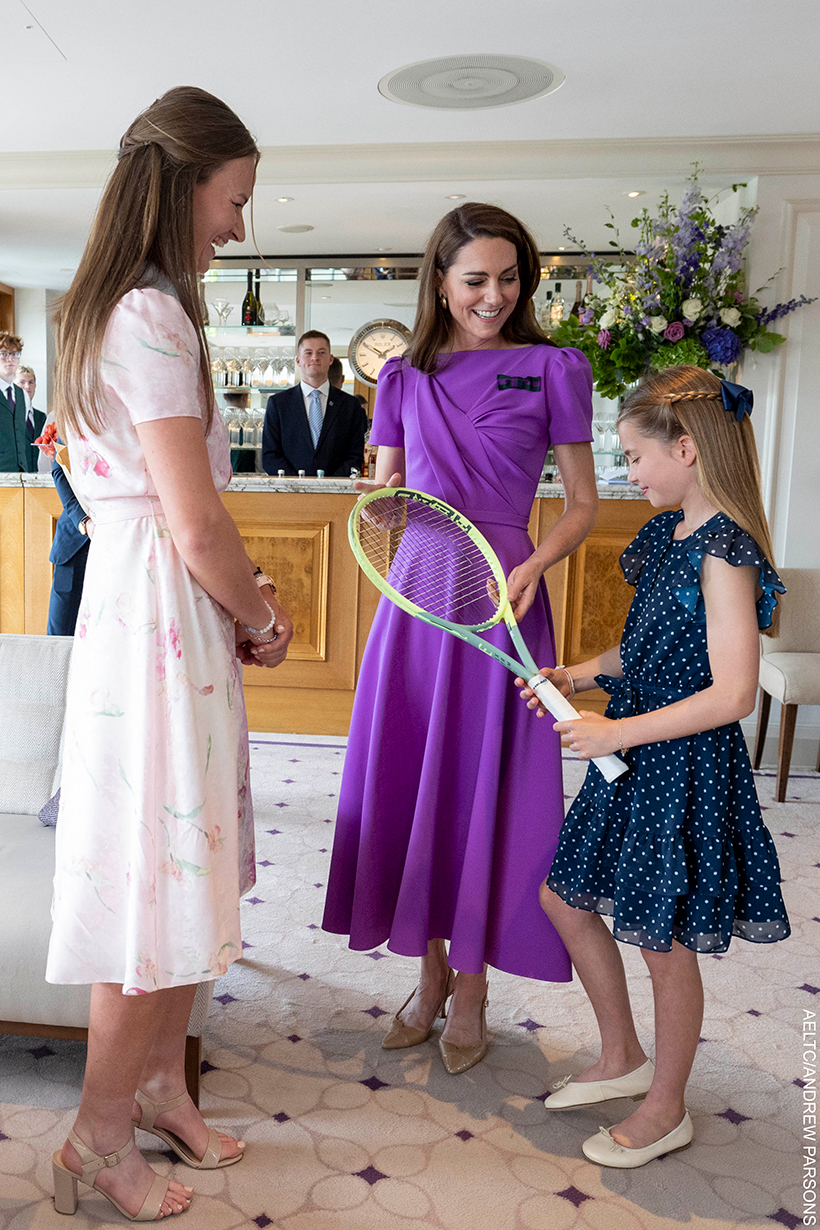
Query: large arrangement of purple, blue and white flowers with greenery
x=682, y=300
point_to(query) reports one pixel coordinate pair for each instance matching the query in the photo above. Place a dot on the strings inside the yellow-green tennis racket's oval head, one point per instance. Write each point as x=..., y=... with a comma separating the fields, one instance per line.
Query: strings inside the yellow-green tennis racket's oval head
x=430, y=560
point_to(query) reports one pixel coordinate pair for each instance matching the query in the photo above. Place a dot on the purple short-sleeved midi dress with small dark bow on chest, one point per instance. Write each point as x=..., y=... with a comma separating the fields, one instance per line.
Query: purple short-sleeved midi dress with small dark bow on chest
x=452, y=796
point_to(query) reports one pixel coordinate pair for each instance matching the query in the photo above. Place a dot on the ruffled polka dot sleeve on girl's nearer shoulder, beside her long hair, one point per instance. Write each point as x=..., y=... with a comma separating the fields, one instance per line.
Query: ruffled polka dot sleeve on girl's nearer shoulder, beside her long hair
x=723, y=539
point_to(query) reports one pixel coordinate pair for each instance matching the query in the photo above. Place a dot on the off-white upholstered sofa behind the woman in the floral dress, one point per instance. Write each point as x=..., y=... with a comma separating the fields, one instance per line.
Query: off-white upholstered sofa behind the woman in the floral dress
x=34, y=675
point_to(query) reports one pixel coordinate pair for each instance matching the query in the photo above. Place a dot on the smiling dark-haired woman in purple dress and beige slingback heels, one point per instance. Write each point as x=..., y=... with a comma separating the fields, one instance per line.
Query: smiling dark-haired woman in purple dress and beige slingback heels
x=449, y=815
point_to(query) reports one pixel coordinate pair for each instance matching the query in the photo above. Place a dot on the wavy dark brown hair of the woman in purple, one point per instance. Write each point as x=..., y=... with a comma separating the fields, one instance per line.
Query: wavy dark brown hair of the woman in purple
x=433, y=327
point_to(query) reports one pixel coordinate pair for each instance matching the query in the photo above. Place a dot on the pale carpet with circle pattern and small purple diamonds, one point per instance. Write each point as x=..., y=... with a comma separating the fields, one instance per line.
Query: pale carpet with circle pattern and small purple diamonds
x=344, y=1136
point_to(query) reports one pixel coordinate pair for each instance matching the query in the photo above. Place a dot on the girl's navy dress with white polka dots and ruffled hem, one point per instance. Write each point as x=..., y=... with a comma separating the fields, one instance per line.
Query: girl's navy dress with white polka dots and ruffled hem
x=676, y=849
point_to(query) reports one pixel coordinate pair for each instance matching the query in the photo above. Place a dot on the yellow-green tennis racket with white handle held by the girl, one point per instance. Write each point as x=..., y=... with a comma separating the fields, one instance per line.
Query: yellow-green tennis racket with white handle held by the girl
x=433, y=563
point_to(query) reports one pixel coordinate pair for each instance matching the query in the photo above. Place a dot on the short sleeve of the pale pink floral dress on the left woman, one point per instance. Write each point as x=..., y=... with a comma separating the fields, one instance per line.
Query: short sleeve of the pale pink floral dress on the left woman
x=151, y=359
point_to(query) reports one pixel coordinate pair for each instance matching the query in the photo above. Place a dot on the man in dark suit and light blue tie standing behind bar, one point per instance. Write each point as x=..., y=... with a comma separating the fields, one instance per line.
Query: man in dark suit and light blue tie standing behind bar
x=314, y=426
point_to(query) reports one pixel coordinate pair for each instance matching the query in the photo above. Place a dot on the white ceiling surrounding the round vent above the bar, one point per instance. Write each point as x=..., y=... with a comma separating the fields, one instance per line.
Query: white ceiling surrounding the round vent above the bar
x=307, y=76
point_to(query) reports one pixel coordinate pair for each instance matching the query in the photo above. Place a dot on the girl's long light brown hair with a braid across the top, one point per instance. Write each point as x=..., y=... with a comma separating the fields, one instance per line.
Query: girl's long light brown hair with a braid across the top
x=687, y=402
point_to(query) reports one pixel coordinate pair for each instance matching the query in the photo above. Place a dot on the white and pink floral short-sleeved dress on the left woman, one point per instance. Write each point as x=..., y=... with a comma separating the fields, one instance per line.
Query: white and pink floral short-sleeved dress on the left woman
x=156, y=833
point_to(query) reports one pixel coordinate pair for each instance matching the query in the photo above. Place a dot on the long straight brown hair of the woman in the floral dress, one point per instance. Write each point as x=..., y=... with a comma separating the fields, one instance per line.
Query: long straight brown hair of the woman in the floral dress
x=146, y=218
